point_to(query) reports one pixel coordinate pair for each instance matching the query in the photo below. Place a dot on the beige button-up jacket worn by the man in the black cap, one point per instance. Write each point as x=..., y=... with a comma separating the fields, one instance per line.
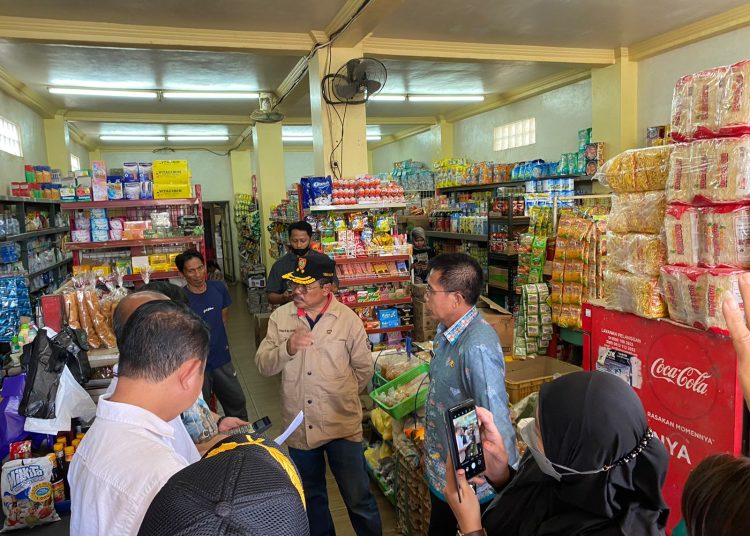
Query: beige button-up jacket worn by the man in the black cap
x=323, y=380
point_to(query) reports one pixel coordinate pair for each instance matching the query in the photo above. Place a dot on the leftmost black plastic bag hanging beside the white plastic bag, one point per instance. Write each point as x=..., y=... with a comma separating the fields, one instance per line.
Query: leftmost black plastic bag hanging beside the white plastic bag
x=43, y=372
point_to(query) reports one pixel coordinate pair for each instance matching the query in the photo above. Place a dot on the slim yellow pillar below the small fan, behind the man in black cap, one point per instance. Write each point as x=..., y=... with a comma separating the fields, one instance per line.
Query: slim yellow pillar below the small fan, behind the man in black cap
x=269, y=167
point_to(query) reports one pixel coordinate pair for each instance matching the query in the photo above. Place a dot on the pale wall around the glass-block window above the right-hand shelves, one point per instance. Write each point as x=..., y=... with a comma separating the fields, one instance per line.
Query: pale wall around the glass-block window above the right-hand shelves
x=559, y=114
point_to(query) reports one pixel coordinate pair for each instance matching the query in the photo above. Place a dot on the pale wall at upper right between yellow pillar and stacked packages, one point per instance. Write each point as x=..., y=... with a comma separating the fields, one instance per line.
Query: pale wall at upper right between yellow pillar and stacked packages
x=657, y=76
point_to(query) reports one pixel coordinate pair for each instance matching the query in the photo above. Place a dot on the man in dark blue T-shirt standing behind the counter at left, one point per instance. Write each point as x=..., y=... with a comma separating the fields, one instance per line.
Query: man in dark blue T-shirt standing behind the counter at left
x=210, y=300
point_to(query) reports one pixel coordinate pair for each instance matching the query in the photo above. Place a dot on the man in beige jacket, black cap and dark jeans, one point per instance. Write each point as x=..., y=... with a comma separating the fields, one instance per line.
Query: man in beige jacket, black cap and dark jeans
x=320, y=348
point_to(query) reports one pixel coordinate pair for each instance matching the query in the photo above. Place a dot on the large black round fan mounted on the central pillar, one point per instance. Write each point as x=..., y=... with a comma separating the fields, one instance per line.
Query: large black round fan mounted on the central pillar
x=357, y=81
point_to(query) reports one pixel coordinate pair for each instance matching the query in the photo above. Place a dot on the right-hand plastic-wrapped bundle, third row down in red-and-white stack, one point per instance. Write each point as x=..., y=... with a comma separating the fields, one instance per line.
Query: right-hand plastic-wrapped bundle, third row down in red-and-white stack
x=724, y=235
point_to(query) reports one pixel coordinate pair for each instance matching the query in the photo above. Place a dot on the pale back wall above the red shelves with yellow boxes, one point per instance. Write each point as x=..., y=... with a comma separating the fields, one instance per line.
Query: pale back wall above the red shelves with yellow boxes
x=212, y=172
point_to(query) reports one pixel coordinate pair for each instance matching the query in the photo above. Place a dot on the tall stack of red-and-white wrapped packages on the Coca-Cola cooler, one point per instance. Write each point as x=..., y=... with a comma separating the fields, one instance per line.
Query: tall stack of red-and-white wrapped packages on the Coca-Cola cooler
x=707, y=221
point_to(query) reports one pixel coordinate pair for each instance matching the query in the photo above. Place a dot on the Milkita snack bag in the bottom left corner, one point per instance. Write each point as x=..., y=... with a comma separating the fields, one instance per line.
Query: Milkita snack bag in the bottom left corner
x=27, y=493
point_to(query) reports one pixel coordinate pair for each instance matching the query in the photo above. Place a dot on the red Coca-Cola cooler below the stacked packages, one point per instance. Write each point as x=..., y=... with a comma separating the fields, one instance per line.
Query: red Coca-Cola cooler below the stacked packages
x=686, y=379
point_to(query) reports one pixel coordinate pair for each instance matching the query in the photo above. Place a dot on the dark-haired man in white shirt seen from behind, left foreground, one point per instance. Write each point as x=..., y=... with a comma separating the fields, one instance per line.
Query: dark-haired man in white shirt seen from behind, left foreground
x=129, y=452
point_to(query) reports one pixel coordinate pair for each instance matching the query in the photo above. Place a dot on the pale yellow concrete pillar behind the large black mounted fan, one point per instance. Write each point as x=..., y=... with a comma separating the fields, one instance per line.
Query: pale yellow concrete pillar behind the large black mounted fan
x=351, y=155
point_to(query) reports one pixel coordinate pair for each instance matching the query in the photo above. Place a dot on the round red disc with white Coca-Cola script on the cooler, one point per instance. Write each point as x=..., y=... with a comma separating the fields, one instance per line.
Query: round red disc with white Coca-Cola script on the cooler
x=682, y=374
